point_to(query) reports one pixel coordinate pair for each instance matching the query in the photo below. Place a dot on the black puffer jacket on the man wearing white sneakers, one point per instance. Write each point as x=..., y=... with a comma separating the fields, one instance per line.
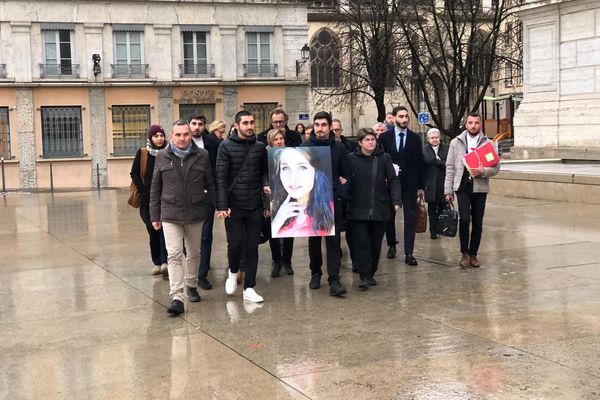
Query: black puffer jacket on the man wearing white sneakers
x=246, y=194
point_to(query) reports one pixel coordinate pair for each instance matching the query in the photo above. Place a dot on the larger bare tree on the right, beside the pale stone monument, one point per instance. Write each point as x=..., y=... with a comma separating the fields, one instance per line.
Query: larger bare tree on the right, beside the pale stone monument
x=453, y=47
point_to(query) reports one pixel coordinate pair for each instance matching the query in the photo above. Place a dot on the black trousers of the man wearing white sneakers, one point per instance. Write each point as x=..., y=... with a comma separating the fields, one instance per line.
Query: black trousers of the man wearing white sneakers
x=243, y=234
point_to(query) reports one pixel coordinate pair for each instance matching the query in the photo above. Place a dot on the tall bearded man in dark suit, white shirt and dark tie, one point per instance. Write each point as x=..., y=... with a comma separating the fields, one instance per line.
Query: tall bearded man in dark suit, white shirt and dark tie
x=406, y=150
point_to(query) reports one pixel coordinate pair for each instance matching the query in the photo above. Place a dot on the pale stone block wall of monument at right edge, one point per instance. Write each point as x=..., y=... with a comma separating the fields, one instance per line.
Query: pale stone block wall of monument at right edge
x=560, y=112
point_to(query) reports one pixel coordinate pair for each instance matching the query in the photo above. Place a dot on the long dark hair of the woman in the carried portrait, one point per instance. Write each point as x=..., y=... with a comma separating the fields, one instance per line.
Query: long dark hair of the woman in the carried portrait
x=320, y=199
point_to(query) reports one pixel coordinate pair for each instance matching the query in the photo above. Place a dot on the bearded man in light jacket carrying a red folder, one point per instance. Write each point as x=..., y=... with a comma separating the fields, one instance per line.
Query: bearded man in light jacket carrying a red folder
x=472, y=159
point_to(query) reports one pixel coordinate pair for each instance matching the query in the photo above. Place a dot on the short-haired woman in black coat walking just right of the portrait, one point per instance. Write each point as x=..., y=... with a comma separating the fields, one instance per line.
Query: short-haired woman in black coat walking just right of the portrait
x=372, y=190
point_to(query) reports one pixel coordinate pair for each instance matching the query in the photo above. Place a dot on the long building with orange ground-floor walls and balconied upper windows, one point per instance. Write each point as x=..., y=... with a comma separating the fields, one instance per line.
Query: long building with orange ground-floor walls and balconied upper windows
x=62, y=113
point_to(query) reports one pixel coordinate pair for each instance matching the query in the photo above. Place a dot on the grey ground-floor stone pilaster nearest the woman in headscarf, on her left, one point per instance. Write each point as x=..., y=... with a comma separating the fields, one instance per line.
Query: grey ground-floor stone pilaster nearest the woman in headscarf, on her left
x=98, y=132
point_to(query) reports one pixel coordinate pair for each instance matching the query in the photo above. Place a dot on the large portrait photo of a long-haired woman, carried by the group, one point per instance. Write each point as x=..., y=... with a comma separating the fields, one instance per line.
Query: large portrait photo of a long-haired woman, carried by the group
x=301, y=192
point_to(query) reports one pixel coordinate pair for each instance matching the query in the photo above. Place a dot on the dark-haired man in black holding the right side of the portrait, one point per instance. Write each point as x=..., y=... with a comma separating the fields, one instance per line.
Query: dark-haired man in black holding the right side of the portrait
x=323, y=136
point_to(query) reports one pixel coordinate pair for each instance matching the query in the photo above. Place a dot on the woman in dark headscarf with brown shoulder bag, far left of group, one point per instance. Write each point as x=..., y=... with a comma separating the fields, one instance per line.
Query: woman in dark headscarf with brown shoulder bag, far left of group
x=156, y=141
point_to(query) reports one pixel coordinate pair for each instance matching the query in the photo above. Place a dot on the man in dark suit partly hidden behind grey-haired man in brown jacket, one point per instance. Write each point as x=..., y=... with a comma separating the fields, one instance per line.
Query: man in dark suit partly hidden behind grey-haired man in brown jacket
x=208, y=142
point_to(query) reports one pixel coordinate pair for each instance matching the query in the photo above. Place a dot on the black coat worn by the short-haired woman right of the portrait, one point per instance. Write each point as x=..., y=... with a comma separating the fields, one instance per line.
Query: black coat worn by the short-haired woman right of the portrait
x=374, y=186
